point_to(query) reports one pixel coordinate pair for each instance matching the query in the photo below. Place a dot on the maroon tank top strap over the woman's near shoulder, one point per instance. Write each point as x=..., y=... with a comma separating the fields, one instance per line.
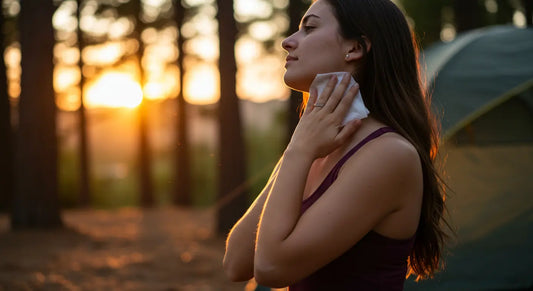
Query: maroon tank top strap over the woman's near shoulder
x=332, y=175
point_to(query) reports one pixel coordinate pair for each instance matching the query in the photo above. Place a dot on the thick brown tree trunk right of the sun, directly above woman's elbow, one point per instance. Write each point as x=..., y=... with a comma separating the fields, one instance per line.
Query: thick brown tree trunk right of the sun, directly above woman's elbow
x=232, y=188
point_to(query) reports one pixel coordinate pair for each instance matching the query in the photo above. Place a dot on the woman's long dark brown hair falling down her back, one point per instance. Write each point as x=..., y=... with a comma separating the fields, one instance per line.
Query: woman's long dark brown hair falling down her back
x=389, y=79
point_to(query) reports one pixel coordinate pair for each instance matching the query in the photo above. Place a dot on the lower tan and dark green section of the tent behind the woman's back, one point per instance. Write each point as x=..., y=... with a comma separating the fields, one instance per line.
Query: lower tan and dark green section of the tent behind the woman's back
x=491, y=209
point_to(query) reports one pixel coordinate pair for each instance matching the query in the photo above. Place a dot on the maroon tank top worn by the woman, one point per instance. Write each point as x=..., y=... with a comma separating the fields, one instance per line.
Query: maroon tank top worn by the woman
x=374, y=263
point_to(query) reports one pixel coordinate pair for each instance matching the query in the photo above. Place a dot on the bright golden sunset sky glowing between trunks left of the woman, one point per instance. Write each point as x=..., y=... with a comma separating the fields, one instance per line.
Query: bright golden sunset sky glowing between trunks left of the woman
x=111, y=71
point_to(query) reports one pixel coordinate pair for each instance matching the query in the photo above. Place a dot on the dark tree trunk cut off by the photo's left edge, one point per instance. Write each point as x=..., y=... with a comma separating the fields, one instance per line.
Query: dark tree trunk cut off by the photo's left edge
x=6, y=132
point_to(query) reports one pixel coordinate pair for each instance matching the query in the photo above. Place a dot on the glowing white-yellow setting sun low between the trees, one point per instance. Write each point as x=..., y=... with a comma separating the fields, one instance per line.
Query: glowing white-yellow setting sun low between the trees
x=114, y=90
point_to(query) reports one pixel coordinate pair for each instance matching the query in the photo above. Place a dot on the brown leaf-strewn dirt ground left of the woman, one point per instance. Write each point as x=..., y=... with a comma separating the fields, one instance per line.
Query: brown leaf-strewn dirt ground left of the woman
x=127, y=249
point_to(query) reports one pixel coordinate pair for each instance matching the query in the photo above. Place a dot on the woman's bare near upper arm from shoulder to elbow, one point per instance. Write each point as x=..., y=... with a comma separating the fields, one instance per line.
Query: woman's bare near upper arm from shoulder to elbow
x=371, y=185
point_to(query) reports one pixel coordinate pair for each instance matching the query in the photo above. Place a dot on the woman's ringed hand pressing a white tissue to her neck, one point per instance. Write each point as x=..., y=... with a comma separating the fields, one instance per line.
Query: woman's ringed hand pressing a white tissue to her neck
x=320, y=129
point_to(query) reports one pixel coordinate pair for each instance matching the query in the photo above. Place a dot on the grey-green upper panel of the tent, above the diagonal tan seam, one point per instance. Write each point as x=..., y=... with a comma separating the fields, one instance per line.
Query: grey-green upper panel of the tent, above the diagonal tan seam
x=477, y=72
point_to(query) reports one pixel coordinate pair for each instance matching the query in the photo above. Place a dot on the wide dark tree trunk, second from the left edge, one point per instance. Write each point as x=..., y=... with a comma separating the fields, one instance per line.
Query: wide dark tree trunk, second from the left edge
x=35, y=203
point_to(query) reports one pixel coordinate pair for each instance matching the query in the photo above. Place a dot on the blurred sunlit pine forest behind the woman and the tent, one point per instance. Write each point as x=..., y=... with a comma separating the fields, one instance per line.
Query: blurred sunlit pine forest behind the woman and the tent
x=93, y=113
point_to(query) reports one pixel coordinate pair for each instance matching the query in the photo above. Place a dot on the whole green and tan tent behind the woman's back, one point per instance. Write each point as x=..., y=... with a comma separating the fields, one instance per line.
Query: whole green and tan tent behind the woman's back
x=482, y=88
